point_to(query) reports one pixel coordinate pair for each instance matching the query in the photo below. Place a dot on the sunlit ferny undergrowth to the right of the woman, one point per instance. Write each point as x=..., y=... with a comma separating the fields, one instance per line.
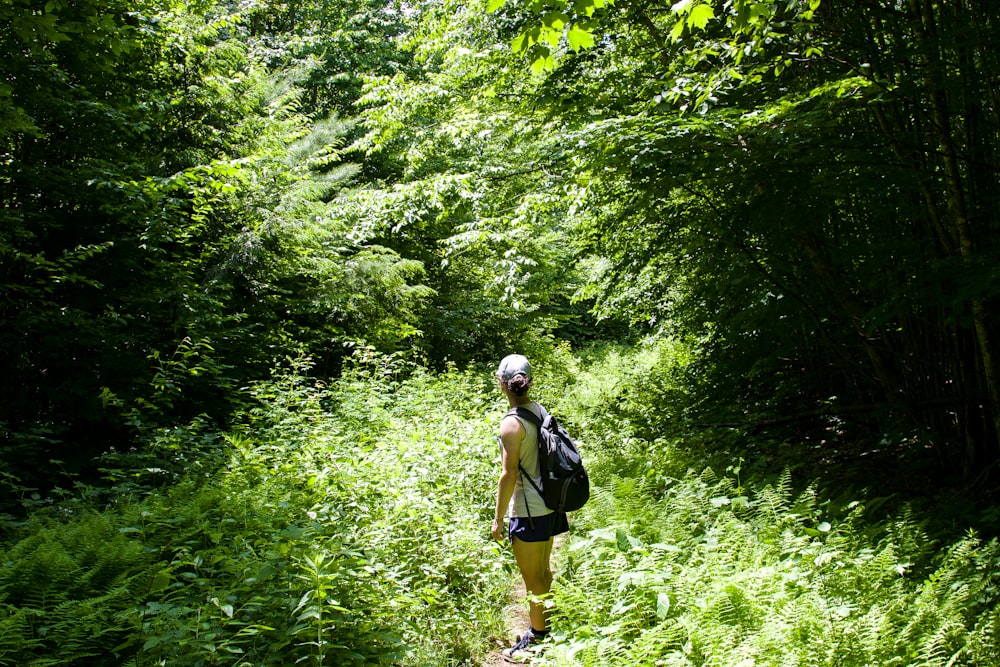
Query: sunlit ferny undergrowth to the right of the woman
x=694, y=559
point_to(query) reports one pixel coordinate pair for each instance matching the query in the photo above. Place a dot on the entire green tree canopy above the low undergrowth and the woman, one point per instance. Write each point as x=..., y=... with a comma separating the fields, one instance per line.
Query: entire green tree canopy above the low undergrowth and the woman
x=193, y=192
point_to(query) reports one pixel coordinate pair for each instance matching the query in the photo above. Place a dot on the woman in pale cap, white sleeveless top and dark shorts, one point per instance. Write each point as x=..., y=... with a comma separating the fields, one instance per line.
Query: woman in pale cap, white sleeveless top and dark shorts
x=532, y=524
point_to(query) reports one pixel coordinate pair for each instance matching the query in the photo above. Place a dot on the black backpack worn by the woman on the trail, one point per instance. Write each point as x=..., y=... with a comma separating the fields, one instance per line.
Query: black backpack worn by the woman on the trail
x=565, y=484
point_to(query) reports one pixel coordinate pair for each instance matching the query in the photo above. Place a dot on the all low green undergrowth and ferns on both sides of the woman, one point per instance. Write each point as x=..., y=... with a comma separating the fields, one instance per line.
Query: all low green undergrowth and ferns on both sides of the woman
x=347, y=525
